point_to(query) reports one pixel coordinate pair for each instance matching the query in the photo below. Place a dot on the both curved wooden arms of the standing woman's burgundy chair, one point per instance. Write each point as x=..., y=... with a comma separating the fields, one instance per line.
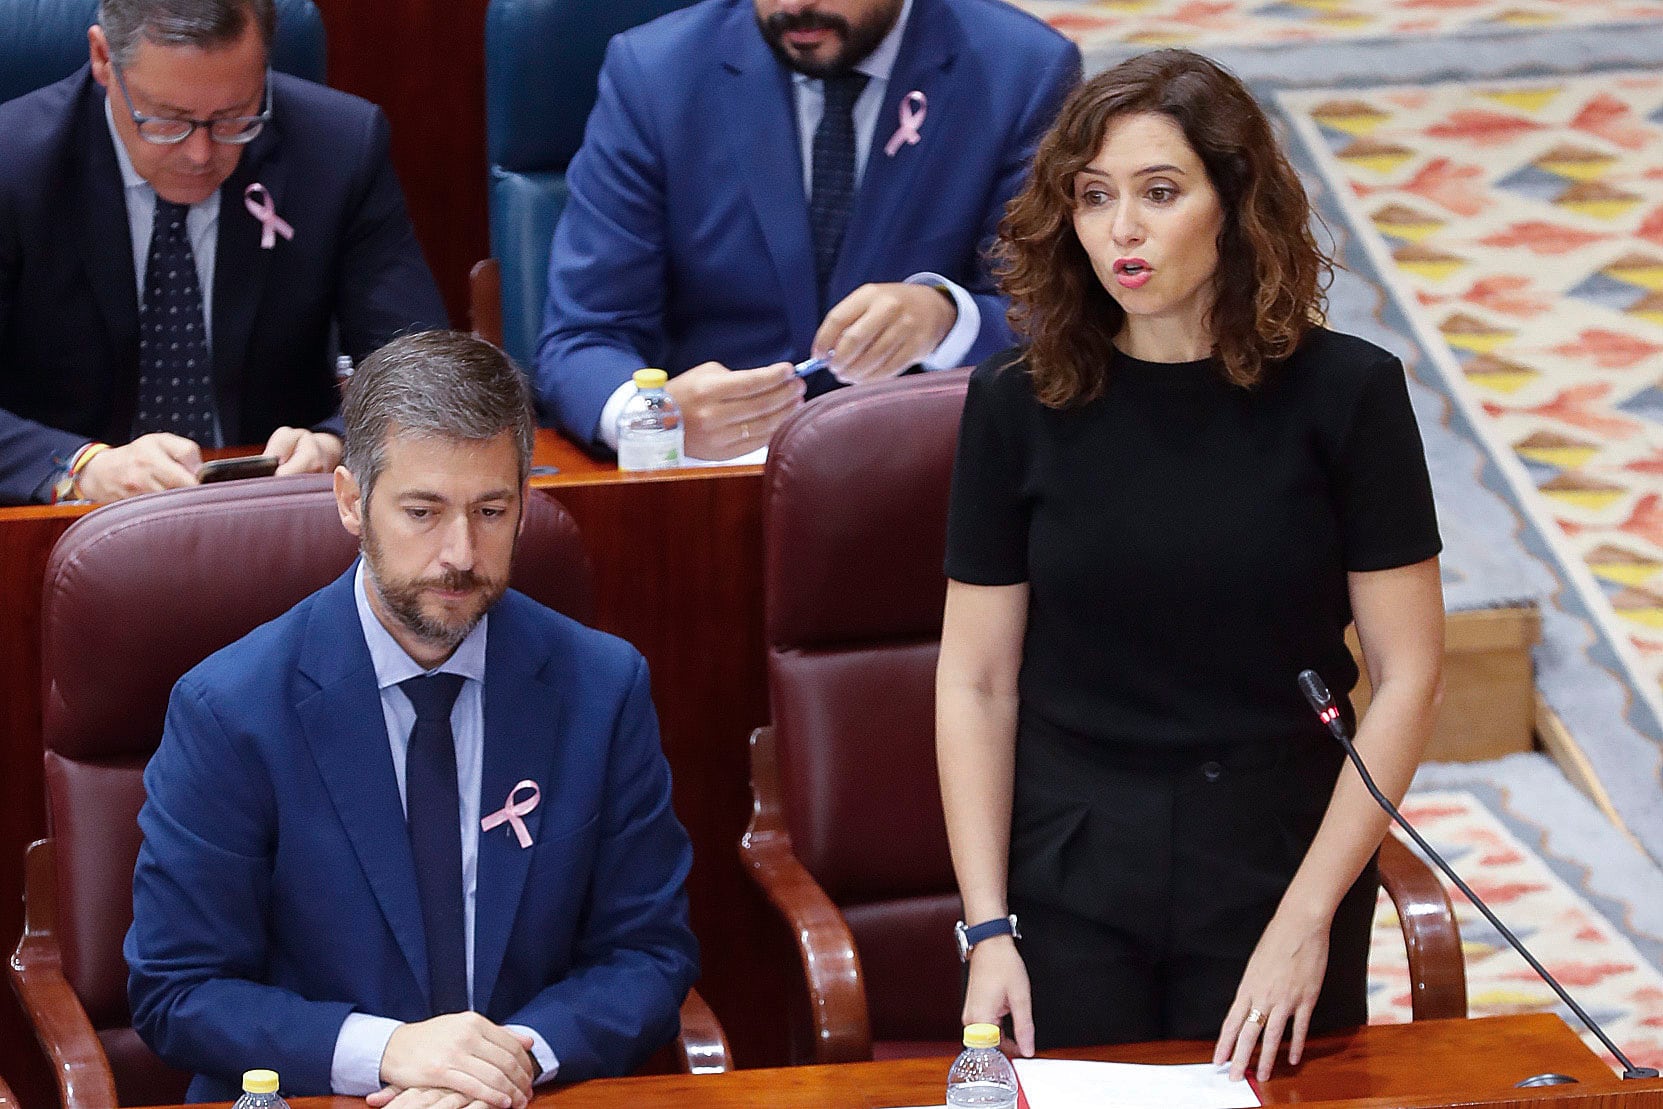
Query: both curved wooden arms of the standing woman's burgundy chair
x=837, y=1000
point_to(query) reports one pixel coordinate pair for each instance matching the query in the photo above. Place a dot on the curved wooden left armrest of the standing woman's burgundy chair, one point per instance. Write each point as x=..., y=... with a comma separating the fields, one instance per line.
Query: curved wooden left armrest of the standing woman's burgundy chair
x=837, y=1000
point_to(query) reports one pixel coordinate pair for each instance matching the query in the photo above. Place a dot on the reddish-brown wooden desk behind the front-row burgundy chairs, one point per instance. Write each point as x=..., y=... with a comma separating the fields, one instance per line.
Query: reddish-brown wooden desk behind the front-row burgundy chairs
x=678, y=563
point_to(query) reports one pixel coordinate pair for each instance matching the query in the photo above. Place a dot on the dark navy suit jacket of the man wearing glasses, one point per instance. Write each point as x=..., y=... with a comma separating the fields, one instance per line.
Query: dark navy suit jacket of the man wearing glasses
x=69, y=298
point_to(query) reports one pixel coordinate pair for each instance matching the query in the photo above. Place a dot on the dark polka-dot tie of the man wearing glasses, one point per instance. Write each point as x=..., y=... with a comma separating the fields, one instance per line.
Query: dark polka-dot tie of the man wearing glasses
x=175, y=390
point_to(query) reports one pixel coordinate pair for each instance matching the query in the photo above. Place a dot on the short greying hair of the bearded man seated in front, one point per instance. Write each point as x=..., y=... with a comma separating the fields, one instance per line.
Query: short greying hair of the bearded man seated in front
x=433, y=385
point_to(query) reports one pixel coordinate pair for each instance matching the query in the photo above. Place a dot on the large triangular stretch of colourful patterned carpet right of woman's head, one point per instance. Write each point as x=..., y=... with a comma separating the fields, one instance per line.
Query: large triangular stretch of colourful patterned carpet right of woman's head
x=1517, y=229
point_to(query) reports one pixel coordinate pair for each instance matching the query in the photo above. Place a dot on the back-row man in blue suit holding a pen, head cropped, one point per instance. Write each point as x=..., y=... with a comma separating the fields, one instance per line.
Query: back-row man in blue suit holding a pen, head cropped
x=769, y=180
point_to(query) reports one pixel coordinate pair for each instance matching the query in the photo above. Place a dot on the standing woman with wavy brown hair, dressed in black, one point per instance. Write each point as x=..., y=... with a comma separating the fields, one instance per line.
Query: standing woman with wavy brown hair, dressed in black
x=1165, y=508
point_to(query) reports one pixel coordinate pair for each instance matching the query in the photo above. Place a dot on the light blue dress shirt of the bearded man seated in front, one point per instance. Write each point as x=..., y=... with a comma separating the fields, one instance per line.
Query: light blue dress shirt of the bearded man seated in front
x=363, y=1038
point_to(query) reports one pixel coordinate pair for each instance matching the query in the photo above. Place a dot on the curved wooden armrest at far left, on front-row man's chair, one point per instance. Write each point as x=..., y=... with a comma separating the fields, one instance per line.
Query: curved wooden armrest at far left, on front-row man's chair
x=37, y=977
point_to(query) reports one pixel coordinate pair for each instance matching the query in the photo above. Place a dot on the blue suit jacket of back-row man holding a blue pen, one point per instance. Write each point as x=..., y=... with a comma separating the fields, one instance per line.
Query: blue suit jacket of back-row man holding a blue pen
x=686, y=237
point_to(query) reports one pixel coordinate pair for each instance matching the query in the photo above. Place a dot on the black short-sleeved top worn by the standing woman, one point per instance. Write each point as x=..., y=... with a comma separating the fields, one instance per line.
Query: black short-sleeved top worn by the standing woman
x=1187, y=541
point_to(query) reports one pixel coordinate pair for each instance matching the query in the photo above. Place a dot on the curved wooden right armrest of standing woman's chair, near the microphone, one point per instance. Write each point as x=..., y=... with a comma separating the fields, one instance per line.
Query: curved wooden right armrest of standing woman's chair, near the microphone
x=1438, y=970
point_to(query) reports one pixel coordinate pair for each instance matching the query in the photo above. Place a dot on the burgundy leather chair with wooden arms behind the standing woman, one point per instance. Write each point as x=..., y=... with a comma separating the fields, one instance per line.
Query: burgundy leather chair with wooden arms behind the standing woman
x=847, y=837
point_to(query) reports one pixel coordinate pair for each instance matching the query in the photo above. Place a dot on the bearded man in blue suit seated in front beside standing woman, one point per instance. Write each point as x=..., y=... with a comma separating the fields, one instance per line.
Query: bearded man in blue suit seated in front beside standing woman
x=417, y=834
